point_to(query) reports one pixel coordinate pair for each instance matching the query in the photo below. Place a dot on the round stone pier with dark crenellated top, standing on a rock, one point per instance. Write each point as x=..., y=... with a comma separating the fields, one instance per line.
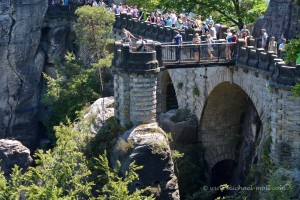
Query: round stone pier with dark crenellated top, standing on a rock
x=135, y=85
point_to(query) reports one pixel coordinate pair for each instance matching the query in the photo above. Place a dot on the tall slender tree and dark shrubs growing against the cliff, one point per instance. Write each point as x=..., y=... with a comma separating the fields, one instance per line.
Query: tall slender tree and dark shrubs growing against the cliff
x=78, y=81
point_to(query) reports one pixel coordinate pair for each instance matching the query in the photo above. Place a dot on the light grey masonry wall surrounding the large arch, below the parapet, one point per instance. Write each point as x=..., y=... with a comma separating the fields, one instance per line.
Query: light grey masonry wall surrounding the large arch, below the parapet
x=278, y=112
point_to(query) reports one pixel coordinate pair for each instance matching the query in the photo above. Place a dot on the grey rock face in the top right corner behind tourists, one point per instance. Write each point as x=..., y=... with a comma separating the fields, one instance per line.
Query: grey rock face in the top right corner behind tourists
x=280, y=20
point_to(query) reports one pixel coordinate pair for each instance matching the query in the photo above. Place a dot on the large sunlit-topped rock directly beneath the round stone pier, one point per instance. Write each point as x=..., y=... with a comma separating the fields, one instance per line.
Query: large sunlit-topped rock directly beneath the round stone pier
x=148, y=146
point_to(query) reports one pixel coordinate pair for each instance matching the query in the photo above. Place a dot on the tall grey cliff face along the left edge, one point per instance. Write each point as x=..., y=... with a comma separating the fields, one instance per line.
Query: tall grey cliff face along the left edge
x=21, y=66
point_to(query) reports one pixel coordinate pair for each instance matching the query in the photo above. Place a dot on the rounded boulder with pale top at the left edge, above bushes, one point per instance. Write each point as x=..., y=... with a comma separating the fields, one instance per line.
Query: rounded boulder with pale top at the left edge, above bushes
x=12, y=152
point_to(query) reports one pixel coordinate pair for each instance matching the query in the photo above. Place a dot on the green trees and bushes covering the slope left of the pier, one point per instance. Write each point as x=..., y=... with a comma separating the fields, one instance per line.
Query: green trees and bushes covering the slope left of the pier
x=77, y=167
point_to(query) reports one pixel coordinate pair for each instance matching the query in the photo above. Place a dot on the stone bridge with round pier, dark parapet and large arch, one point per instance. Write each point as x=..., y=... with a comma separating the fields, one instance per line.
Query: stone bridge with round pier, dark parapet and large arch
x=219, y=95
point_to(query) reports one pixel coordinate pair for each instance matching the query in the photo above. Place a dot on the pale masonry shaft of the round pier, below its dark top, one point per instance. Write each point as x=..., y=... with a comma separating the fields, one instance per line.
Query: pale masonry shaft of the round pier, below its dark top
x=135, y=97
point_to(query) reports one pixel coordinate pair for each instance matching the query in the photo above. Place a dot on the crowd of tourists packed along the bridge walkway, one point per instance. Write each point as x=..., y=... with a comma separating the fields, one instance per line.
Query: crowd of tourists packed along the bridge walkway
x=208, y=29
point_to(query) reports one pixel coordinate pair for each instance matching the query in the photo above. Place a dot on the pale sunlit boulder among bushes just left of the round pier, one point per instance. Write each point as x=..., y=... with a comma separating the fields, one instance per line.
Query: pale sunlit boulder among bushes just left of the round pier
x=99, y=112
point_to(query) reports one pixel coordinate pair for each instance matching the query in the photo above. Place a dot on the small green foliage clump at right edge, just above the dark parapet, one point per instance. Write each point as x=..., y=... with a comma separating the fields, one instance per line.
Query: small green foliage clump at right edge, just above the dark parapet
x=292, y=50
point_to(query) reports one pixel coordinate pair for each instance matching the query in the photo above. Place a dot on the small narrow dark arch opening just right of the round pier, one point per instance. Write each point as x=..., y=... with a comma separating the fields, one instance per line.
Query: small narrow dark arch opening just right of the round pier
x=168, y=93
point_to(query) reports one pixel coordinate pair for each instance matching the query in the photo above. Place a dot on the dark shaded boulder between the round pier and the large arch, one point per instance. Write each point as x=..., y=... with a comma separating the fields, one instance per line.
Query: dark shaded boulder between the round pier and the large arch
x=181, y=124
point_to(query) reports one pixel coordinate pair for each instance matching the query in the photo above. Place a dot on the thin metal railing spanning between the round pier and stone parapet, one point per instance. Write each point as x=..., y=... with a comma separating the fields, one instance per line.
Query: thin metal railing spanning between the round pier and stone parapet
x=198, y=53
